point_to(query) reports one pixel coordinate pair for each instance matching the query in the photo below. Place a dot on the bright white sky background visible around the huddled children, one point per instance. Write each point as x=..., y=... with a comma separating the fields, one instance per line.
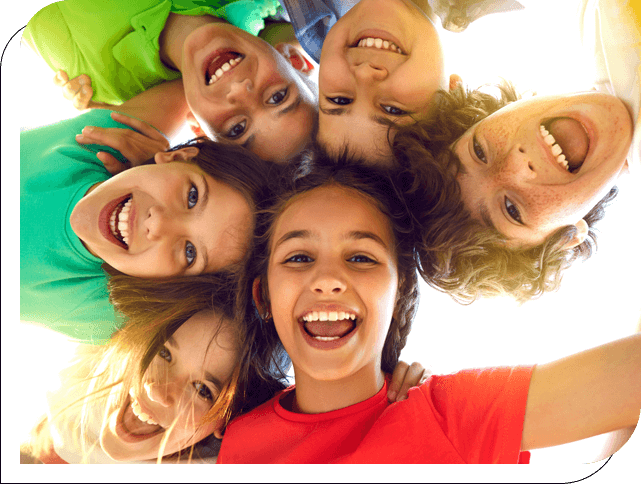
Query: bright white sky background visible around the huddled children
x=599, y=300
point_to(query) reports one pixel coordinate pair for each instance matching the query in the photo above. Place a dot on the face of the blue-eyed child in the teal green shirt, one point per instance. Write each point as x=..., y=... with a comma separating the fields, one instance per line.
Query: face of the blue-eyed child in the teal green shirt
x=179, y=221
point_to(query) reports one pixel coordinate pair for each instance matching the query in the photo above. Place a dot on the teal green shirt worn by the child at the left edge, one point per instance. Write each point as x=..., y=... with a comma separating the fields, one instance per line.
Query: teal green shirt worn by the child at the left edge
x=62, y=285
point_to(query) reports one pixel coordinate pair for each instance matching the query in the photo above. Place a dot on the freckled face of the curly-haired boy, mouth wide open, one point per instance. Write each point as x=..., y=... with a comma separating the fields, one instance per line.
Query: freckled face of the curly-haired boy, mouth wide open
x=511, y=173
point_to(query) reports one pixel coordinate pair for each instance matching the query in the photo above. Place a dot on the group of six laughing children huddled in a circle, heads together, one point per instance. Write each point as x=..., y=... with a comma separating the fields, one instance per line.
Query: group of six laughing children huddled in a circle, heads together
x=225, y=263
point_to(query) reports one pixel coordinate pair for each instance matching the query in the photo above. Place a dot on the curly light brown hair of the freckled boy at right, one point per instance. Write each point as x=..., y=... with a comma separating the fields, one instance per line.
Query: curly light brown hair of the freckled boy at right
x=458, y=254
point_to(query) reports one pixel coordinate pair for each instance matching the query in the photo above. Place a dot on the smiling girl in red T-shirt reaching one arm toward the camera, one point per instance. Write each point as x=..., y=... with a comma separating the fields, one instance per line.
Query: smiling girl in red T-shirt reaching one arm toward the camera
x=335, y=280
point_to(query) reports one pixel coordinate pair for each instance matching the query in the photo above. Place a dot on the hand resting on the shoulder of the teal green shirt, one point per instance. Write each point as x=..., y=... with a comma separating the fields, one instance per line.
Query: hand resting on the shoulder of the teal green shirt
x=136, y=147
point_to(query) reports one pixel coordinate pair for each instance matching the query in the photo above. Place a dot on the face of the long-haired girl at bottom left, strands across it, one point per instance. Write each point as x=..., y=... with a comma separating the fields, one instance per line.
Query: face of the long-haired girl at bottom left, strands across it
x=180, y=386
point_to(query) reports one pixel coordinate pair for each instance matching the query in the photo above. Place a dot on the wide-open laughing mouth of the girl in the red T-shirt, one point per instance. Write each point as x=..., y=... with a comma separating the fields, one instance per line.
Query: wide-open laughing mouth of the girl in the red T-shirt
x=328, y=329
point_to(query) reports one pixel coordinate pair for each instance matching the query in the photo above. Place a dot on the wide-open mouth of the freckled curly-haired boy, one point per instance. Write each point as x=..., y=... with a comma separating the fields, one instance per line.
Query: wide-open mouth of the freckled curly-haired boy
x=568, y=140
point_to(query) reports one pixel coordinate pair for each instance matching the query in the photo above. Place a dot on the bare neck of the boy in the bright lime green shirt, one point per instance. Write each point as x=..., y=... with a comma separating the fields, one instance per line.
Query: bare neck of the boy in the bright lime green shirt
x=173, y=35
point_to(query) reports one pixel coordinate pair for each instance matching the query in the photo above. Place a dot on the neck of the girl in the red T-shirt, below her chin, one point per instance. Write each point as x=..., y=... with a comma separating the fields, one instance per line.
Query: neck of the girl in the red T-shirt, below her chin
x=320, y=396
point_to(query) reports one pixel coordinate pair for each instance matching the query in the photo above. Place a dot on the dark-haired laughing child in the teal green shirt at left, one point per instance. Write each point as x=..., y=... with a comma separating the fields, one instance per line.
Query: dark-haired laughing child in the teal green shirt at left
x=187, y=212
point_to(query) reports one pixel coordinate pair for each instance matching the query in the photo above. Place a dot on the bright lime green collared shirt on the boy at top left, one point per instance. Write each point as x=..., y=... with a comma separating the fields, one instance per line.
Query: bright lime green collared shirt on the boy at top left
x=115, y=42
